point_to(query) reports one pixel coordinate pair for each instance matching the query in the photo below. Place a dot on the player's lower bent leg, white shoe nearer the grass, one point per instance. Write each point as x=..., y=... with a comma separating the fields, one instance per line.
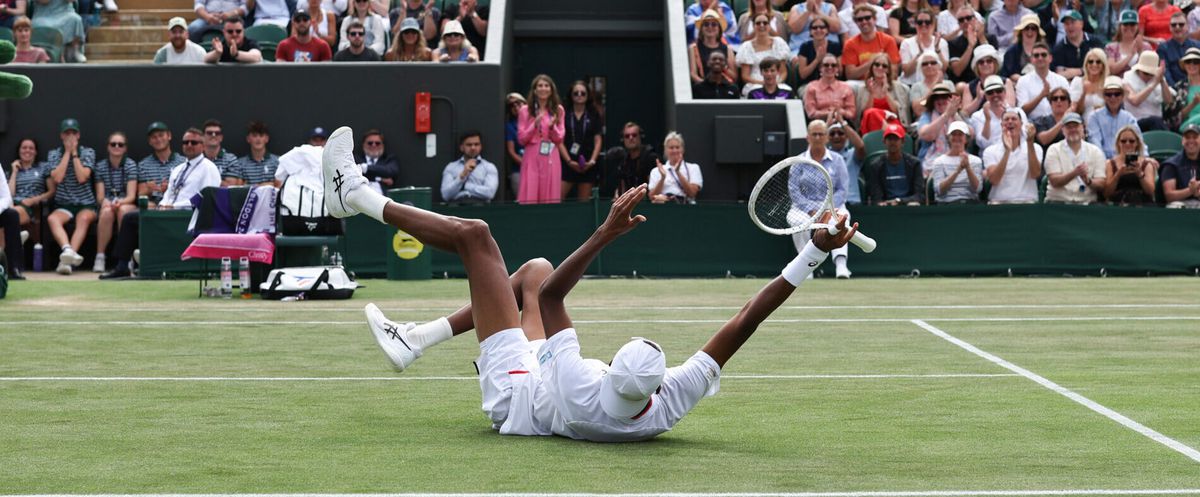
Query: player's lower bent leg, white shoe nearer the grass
x=406, y=343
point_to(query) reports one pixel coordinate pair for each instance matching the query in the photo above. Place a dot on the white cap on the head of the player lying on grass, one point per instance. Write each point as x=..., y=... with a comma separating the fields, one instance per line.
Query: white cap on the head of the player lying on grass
x=637, y=373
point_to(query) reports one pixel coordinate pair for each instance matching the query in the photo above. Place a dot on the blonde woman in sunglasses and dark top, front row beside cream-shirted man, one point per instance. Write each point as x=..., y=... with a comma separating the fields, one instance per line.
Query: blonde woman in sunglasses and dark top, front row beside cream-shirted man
x=1131, y=173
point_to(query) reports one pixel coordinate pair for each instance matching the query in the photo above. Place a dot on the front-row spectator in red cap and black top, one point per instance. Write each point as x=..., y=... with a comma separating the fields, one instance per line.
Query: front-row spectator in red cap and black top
x=896, y=178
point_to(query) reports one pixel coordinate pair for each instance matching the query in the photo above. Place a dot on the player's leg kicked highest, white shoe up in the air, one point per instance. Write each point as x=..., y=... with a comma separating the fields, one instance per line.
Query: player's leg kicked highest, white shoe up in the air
x=494, y=307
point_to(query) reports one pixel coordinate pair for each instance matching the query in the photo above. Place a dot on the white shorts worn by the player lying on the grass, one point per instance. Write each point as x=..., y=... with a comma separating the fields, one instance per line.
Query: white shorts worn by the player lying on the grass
x=511, y=381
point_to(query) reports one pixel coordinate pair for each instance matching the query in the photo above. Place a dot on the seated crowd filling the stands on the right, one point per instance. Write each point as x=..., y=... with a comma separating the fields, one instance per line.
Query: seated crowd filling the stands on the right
x=969, y=101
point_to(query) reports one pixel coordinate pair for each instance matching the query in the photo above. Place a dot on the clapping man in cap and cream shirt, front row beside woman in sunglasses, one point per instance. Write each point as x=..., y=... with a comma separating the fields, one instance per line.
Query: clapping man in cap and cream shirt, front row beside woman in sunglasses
x=1075, y=167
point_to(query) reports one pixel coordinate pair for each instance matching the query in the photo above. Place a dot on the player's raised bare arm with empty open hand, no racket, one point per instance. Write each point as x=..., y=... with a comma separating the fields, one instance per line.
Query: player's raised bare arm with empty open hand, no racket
x=554, y=292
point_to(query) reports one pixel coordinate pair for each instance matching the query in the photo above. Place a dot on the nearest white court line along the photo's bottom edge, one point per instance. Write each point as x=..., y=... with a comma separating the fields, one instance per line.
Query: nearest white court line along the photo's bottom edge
x=866, y=494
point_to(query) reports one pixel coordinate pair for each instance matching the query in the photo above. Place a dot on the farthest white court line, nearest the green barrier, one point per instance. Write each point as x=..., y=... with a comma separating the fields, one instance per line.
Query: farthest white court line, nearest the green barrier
x=302, y=308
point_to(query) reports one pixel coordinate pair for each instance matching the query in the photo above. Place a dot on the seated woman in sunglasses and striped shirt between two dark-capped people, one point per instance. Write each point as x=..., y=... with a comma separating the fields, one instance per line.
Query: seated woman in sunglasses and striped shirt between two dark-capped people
x=117, y=187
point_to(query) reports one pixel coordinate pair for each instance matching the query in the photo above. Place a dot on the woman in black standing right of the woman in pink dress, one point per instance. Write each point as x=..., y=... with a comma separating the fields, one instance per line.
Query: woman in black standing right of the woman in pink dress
x=581, y=143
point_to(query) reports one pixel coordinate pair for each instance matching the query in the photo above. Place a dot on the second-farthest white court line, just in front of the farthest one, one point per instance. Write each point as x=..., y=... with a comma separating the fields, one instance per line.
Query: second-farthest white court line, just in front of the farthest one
x=359, y=324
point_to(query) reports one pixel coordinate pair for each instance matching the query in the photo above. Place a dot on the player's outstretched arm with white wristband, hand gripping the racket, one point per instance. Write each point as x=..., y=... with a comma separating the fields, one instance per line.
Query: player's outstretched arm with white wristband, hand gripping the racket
x=739, y=330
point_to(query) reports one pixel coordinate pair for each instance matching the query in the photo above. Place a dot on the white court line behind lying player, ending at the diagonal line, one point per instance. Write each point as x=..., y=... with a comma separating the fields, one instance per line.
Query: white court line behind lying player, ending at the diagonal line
x=443, y=379
